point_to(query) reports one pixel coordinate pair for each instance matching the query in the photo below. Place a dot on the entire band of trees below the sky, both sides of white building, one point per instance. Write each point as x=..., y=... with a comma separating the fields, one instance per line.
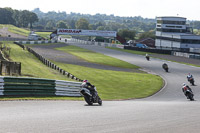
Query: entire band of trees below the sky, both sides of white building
x=127, y=27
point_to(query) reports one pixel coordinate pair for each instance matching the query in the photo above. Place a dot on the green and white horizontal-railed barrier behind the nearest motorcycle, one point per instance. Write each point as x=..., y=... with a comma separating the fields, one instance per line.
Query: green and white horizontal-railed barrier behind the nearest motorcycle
x=21, y=86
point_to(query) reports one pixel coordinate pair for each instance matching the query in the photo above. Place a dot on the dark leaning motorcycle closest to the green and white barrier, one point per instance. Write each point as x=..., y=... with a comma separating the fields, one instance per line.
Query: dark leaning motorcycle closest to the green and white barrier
x=89, y=98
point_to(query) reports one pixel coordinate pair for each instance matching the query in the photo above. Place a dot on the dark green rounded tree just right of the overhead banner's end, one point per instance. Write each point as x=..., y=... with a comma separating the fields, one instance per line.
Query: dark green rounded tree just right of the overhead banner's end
x=127, y=34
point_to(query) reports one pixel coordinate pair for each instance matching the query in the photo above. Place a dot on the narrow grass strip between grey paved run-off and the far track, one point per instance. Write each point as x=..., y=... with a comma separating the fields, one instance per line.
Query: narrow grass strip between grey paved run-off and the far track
x=94, y=57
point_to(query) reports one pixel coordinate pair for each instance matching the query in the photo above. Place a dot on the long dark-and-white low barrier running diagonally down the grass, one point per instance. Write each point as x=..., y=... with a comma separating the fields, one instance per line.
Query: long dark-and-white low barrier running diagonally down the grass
x=48, y=63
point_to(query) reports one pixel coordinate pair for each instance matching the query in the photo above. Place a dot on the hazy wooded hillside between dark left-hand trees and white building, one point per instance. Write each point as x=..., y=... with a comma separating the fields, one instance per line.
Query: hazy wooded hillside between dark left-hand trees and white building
x=127, y=27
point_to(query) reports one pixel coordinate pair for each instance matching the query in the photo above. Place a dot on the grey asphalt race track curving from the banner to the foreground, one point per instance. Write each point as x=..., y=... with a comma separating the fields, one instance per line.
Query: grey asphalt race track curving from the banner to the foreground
x=168, y=111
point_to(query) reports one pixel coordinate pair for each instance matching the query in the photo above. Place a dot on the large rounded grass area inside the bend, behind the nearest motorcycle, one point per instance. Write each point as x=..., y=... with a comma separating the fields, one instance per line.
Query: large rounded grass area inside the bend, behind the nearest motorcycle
x=117, y=84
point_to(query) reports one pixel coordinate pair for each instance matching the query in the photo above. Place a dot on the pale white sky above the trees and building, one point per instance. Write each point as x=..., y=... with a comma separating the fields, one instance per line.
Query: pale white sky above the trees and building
x=189, y=9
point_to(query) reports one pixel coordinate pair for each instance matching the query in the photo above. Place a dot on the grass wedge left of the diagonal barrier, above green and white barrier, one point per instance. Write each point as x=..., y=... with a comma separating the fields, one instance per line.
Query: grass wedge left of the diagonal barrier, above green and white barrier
x=31, y=66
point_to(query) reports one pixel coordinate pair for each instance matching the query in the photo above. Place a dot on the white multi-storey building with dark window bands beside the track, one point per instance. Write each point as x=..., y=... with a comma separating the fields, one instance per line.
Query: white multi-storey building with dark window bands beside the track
x=173, y=32
